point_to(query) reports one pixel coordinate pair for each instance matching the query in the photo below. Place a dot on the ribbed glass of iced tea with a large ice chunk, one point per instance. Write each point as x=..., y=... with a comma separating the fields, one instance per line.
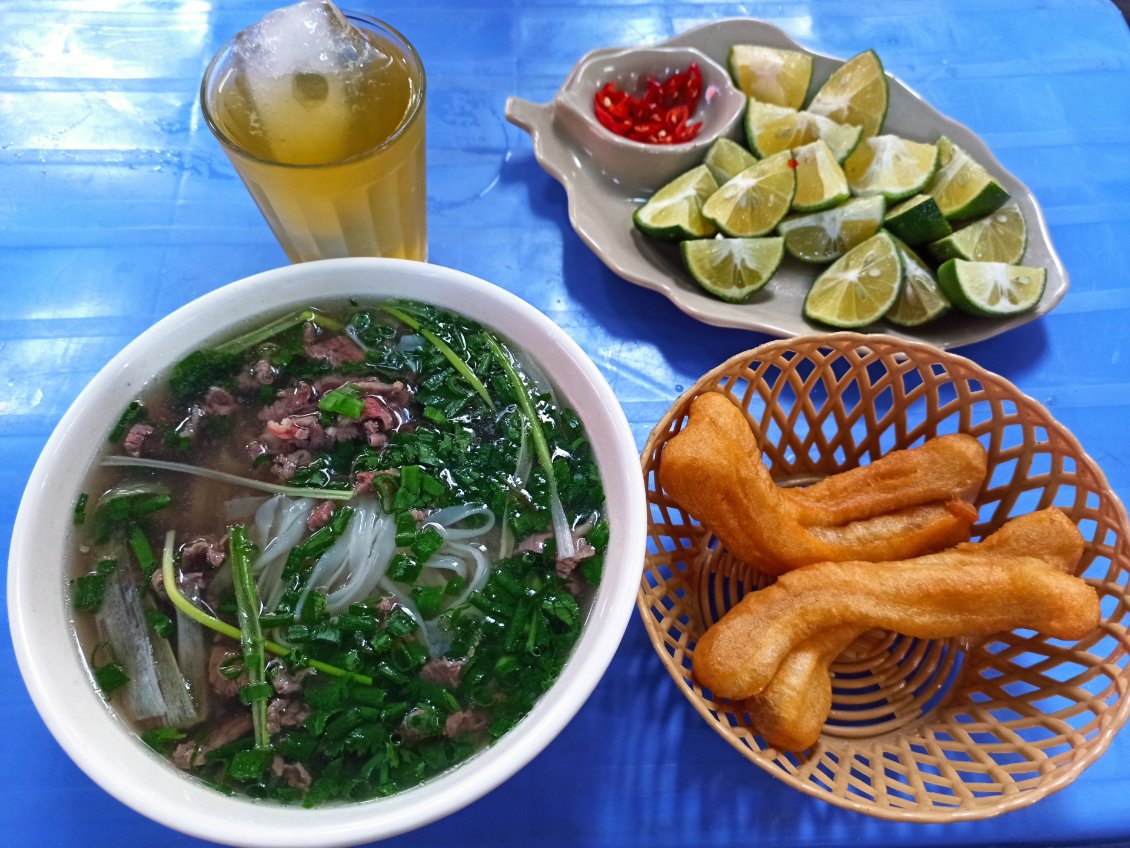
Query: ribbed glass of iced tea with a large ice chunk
x=321, y=113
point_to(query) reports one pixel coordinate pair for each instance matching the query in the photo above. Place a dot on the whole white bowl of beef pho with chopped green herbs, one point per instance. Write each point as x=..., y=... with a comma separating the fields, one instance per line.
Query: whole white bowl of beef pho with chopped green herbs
x=307, y=569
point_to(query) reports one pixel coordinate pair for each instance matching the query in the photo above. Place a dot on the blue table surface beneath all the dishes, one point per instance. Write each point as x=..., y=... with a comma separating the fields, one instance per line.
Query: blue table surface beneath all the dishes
x=117, y=206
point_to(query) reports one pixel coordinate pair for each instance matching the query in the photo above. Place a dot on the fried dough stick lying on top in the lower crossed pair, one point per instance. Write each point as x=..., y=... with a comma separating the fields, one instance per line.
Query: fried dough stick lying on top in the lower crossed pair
x=953, y=593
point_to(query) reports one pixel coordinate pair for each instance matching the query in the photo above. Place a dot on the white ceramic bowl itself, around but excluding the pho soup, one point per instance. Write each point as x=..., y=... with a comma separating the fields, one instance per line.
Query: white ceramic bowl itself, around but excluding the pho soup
x=49, y=657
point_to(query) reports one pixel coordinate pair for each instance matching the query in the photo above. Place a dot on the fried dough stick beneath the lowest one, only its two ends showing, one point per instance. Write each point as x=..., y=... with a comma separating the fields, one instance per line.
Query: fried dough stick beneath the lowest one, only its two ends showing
x=789, y=714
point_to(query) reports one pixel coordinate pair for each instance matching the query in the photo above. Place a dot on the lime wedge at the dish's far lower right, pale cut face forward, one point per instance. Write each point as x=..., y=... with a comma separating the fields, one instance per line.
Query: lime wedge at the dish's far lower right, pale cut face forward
x=992, y=289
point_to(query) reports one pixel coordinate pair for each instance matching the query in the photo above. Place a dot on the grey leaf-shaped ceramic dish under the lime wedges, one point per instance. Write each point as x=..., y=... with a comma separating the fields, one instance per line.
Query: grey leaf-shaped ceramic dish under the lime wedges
x=601, y=207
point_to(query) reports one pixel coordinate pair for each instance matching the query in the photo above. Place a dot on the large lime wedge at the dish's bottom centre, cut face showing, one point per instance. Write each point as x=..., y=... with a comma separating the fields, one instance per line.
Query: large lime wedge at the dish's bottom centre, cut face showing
x=859, y=288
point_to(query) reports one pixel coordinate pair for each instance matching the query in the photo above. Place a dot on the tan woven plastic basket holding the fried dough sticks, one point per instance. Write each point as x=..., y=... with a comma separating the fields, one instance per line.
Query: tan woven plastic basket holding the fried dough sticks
x=920, y=731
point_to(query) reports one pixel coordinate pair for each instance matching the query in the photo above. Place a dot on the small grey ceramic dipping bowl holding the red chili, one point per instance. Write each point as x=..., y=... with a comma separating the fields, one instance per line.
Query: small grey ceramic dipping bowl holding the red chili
x=640, y=163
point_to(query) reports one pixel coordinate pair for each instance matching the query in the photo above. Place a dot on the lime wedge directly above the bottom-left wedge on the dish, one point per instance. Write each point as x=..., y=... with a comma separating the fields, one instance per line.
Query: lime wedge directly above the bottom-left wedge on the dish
x=754, y=202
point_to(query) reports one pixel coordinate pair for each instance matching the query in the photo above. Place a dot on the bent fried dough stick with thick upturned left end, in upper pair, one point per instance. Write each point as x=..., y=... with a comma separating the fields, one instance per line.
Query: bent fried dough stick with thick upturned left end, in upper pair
x=715, y=471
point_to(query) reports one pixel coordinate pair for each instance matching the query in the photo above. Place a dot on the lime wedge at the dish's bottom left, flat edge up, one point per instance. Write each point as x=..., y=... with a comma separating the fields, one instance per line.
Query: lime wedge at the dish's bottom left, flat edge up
x=733, y=269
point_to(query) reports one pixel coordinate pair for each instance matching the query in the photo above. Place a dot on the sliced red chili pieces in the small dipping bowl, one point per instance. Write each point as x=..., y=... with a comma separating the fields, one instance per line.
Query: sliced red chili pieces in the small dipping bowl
x=660, y=116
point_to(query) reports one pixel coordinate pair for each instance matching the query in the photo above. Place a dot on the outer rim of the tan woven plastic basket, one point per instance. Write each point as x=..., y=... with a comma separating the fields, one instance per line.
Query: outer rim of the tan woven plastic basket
x=768, y=758
